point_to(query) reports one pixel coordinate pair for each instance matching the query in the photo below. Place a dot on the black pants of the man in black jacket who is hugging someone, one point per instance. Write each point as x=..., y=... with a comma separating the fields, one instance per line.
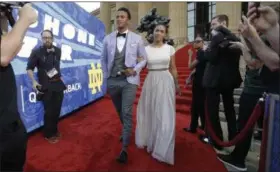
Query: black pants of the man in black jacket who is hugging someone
x=213, y=101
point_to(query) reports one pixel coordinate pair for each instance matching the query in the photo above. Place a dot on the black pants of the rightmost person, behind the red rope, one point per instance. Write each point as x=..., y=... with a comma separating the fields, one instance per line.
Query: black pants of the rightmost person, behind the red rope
x=247, y=104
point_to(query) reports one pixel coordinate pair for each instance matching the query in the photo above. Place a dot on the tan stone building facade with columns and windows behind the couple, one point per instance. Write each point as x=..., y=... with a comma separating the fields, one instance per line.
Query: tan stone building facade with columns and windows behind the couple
x=187, y=18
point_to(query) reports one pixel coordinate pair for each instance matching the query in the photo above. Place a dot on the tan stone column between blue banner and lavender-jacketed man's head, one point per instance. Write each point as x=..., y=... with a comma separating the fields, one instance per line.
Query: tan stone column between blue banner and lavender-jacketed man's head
x=105, y=15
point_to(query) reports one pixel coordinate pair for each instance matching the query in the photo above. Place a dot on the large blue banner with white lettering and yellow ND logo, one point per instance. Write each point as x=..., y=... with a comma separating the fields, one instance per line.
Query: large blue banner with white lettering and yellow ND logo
x=79, y=35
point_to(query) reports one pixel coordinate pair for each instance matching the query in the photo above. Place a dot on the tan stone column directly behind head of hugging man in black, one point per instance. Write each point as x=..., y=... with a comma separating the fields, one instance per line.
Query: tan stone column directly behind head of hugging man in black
x=233, y=10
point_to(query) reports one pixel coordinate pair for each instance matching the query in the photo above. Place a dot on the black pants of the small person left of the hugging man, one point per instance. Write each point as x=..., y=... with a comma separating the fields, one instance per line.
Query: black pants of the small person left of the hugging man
x=198, y=108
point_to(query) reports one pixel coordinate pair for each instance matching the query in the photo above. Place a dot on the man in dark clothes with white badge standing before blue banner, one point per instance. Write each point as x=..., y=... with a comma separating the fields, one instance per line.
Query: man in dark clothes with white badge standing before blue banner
x=50, y=88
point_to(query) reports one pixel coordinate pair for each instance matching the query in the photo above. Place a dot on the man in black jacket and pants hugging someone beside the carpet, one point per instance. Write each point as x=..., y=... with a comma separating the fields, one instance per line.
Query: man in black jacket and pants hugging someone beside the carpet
x=221, y=75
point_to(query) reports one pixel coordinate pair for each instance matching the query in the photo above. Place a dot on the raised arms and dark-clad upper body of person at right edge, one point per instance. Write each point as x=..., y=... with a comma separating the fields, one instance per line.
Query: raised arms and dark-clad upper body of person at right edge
x=267, y=23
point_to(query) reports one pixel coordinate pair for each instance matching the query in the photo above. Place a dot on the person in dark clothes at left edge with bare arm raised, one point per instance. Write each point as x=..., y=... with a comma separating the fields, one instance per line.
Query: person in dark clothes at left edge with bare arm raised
x=13, y=138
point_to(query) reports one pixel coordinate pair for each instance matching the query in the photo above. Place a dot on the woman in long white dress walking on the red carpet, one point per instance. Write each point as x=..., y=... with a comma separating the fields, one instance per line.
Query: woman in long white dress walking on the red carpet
x=156, y=110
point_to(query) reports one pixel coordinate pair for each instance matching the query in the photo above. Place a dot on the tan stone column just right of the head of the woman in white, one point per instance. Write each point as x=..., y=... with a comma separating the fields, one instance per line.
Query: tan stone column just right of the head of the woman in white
x=178, y=24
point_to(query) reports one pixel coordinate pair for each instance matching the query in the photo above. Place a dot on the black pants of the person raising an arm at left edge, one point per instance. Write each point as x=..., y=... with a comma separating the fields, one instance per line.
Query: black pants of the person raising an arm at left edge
x=13, y=149
